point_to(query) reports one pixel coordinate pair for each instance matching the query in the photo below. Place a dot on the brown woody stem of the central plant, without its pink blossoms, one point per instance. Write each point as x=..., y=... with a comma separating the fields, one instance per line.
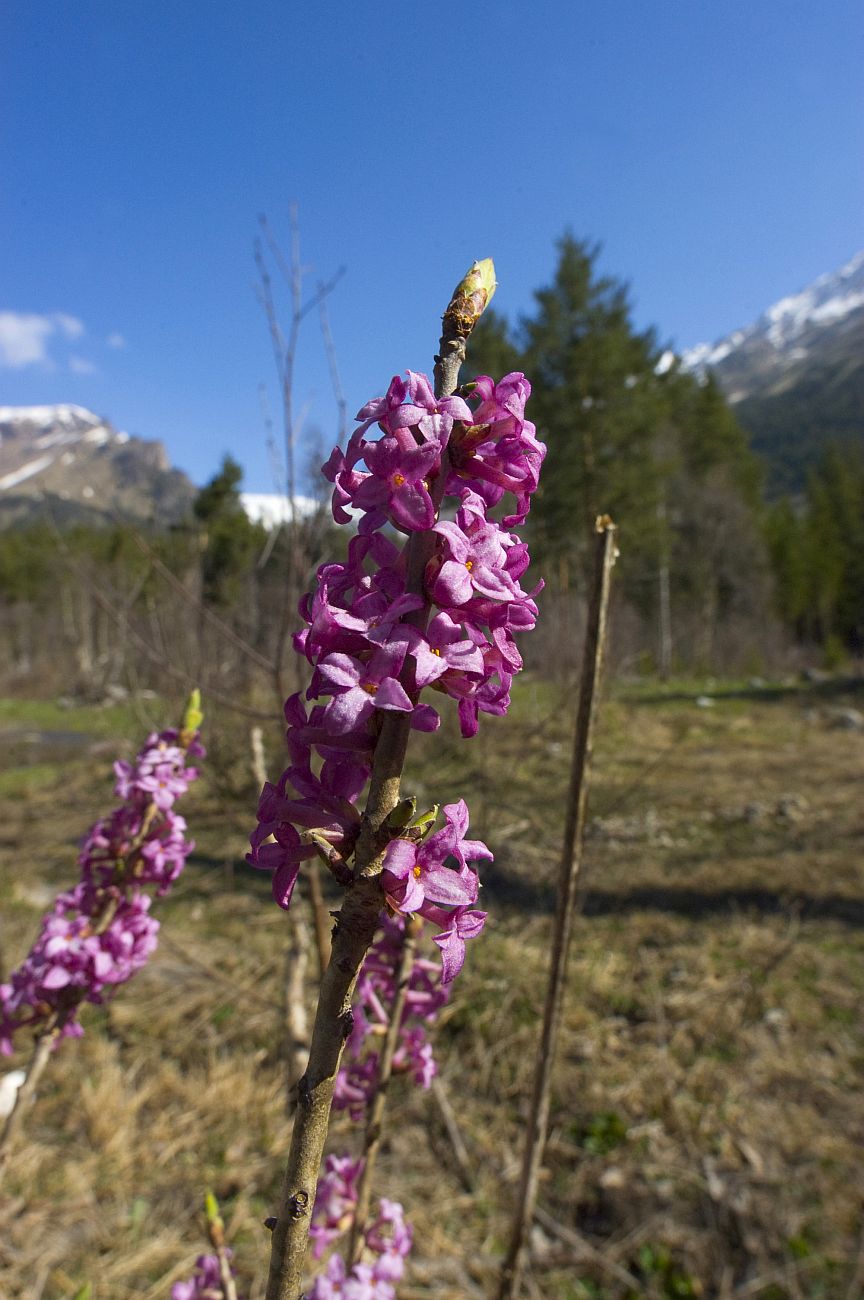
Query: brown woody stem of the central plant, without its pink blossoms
x=358, y=921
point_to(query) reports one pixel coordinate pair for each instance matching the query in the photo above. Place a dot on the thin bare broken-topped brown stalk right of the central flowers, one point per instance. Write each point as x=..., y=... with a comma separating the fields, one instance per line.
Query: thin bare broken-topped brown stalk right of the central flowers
x=605, y=558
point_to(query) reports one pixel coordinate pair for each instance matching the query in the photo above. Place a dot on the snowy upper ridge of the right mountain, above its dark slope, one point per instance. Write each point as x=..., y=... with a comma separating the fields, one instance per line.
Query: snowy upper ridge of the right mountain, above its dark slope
x=769, y=353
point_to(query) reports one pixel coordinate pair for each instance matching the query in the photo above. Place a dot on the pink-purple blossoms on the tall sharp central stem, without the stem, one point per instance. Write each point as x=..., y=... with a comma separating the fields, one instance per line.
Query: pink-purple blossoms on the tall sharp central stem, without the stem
x=377, y=634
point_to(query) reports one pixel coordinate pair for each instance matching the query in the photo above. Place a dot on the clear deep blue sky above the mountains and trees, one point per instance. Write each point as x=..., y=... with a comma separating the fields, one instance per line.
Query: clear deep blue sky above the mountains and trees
x=717, y=151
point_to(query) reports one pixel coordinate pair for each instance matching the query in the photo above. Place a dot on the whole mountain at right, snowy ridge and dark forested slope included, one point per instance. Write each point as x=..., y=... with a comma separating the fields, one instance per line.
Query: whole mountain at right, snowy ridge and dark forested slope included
x=796, y=378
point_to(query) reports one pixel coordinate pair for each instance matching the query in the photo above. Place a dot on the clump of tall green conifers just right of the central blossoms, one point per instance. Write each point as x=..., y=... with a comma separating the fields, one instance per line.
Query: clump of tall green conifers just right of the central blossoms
x=662, y=453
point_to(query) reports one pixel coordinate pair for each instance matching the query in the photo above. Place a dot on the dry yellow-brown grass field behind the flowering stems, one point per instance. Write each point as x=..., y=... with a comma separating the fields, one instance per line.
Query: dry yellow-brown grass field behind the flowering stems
x=707, y=1112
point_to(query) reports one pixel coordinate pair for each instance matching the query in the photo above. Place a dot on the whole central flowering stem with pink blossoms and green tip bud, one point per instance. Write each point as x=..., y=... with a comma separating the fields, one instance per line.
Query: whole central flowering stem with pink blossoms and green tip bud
x=453, y=473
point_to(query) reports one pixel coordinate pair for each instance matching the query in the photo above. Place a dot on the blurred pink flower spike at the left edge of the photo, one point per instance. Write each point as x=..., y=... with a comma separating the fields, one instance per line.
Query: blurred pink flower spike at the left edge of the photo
x=101, y=933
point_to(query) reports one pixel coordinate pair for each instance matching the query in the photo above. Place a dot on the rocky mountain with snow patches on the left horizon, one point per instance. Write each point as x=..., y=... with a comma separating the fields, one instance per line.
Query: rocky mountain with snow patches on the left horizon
x=81, y=466
